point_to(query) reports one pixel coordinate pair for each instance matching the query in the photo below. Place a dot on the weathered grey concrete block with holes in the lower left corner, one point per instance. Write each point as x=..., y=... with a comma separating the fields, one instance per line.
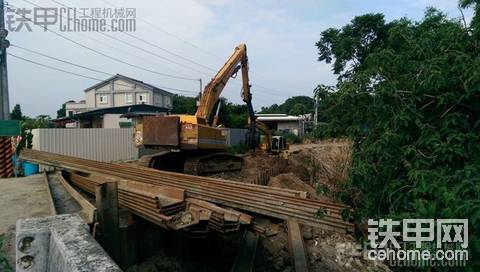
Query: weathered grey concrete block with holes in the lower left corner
x=59, y=243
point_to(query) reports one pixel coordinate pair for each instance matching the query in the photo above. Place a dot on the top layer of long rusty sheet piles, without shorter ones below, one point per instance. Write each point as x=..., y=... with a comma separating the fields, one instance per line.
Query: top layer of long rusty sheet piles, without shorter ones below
x=268, y=201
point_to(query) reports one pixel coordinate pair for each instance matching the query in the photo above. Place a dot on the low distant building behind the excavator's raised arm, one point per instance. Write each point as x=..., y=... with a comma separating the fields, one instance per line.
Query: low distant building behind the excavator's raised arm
x=284, y=122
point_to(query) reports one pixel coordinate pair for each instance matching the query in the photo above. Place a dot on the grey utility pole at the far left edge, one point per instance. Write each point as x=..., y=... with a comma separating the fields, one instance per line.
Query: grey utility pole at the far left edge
x=4, y=44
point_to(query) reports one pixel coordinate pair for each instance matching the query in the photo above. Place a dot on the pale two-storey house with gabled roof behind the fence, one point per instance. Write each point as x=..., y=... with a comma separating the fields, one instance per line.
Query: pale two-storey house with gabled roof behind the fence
x=106, y=101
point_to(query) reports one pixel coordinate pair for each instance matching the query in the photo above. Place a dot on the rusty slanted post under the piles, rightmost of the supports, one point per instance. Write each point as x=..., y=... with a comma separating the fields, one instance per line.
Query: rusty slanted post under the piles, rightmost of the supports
x=296, y=246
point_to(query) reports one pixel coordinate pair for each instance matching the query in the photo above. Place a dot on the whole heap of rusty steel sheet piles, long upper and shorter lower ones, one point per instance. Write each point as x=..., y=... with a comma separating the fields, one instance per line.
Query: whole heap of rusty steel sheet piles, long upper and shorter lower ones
x=223, y=195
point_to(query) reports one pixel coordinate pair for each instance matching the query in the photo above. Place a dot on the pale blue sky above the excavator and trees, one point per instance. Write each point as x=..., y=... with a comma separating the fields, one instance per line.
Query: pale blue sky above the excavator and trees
x=280, y=37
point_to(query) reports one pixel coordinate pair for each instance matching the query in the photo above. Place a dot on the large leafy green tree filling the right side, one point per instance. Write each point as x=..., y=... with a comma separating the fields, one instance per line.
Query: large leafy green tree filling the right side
x=408, y=94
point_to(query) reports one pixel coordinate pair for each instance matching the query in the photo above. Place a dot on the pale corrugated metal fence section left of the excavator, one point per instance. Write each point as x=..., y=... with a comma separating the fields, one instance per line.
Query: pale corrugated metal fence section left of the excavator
x=101, y=144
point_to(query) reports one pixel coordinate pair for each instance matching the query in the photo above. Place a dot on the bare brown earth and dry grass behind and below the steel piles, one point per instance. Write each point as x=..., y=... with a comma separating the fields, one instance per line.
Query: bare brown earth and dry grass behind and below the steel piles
x=311, y=166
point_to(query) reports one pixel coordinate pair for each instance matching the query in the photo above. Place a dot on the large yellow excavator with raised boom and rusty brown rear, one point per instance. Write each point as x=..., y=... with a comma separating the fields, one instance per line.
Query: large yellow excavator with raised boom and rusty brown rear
x=192, y=143
